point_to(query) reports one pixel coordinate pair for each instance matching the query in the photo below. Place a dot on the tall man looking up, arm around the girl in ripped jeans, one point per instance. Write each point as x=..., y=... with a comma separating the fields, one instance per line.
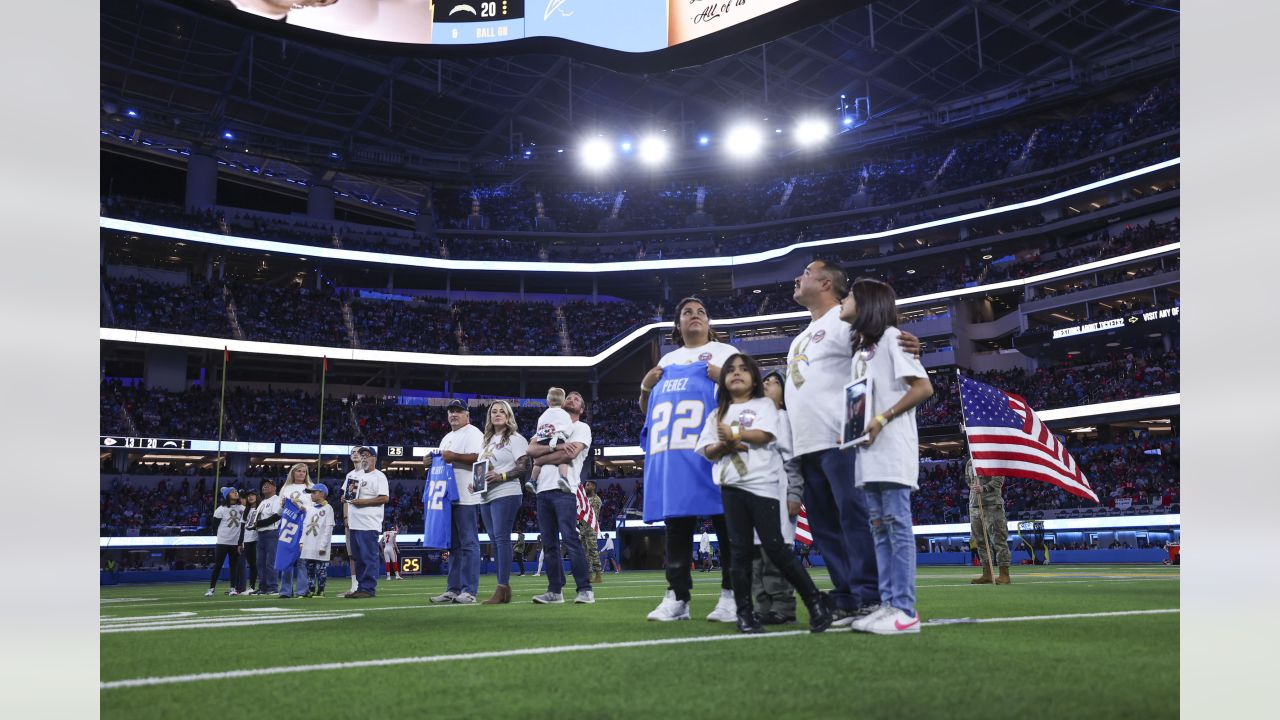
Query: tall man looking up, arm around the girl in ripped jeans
x=819, y=366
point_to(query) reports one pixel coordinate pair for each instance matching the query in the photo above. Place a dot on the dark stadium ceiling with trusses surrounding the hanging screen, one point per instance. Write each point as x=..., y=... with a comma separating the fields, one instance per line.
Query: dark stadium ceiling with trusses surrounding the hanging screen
x=195, y=76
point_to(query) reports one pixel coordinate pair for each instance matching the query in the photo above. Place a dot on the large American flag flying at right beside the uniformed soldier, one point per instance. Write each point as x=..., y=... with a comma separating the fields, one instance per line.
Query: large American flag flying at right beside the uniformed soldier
x=1007, y=439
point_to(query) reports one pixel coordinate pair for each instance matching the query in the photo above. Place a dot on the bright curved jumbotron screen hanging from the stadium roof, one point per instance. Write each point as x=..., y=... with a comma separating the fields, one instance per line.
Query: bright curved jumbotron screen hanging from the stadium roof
x=630, y=26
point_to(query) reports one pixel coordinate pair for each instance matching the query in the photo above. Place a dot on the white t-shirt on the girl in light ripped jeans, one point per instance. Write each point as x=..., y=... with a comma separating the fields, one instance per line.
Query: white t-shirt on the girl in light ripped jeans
x=895, y=457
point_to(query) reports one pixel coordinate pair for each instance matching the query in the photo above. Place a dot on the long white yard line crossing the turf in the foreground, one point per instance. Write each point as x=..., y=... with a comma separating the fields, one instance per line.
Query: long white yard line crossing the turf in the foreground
x=557, y=650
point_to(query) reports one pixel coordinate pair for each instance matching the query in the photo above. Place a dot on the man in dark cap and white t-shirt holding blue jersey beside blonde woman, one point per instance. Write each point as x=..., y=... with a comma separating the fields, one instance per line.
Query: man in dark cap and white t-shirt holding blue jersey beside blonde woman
x=461, y=448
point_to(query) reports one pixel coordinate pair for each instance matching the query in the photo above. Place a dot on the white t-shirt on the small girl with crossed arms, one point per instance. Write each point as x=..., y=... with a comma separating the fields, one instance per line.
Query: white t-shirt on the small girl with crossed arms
x=761, y=466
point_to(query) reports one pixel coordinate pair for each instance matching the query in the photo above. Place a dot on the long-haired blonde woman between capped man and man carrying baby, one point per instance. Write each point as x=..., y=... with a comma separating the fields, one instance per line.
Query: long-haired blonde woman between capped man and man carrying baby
x=504, y=446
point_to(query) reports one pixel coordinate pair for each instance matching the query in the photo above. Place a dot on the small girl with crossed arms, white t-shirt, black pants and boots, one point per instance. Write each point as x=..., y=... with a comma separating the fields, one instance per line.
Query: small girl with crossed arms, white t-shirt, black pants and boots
x=740, y=439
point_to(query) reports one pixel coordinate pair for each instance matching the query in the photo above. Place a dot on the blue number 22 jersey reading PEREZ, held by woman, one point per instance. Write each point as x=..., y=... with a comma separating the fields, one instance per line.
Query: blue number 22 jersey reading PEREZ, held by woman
x=678, y=482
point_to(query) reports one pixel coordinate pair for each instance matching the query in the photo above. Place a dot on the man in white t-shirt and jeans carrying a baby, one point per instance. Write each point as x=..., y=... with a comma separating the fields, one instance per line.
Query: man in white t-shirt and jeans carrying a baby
x=557, y=511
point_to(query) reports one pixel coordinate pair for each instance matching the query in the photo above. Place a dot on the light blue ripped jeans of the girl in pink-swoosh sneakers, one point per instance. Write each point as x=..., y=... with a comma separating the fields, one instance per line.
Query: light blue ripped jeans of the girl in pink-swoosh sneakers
x=890, y=508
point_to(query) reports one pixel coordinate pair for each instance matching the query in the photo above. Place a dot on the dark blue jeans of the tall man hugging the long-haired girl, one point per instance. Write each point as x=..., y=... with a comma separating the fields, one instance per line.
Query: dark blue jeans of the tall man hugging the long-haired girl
x=840, y=526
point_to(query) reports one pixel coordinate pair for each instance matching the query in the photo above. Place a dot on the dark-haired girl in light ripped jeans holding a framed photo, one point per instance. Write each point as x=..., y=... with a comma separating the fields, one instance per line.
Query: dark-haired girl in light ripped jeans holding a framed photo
x=889, y=464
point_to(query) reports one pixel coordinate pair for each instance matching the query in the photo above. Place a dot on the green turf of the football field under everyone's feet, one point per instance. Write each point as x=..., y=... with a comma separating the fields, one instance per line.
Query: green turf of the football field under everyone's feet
x=1122, y=667
